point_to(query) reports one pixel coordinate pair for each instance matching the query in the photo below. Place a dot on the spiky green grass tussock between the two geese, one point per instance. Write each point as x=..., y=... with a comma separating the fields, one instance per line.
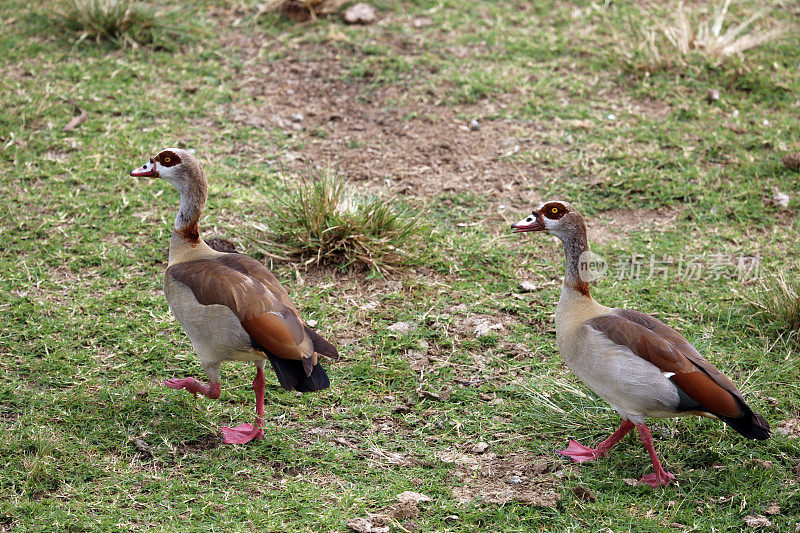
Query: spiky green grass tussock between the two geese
x=323, y=222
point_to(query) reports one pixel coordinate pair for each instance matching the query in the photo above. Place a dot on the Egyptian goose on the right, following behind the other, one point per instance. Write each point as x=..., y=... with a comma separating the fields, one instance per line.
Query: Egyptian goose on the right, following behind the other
x=636, y=363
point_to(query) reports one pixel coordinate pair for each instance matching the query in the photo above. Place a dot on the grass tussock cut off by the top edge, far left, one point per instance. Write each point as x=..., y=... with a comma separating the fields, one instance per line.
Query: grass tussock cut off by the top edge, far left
x=121, y=21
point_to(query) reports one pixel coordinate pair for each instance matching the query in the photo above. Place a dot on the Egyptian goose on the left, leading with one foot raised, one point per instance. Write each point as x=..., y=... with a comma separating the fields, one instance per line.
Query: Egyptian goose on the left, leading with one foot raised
x=231, y=307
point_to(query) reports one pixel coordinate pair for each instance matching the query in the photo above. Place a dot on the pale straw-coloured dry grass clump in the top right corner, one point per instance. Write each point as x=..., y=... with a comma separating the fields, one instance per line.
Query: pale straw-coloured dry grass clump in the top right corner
x=660, y=42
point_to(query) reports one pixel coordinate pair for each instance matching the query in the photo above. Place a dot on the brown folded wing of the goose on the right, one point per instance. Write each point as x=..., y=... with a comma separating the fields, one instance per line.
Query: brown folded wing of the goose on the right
x=656, y=342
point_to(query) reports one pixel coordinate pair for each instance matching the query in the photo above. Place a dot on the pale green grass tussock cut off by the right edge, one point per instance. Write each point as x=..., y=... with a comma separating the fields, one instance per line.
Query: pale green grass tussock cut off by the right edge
x=777, y=301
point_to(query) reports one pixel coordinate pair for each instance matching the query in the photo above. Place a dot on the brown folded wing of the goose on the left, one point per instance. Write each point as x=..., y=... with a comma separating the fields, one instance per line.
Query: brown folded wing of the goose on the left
x=255, y=297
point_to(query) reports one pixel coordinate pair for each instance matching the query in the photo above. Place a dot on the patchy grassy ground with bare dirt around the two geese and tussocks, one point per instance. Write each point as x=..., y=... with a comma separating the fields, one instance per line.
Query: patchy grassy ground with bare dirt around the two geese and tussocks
x=91, y=440
